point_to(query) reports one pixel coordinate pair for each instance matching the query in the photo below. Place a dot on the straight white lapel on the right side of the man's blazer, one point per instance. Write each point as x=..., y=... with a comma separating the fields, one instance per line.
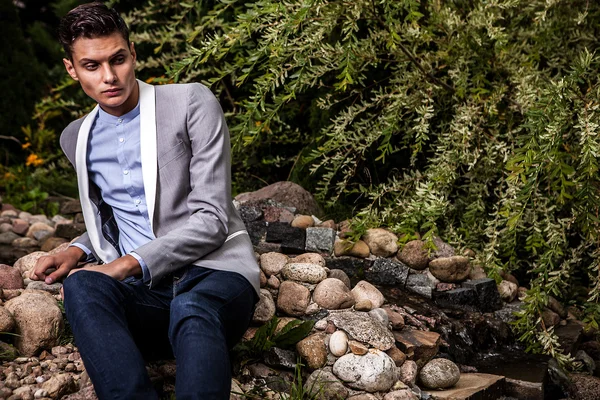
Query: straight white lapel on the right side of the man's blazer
x=148, y=146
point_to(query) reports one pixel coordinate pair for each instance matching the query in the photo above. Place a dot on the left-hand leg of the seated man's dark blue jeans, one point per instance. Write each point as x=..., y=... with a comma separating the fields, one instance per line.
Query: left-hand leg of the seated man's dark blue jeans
x=100, y=310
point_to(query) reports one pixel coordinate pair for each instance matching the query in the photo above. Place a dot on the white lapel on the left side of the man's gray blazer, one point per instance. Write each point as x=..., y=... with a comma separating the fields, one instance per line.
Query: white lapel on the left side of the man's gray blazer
x=105, y=251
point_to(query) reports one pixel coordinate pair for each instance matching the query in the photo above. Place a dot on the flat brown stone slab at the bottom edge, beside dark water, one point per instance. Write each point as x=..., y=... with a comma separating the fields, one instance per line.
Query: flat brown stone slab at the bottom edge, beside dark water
x=472, y=386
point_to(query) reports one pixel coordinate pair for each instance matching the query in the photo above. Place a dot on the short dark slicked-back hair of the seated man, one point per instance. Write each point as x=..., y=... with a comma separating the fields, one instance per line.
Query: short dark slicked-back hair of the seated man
x=90, y=21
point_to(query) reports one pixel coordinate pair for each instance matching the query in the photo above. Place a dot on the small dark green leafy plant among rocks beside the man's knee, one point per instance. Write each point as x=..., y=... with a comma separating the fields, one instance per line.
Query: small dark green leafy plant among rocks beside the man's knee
x=267, y=337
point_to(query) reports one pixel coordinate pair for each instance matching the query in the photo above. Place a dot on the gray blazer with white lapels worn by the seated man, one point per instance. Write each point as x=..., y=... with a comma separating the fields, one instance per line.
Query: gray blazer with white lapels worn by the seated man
x=187, y=182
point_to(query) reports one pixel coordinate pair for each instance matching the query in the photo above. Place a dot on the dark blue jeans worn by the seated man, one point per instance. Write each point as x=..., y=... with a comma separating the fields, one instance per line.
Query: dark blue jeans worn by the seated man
x=117, y=325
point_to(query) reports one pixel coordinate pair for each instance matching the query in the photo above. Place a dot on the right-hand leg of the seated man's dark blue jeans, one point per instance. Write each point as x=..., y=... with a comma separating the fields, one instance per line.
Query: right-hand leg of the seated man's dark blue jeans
x=209, y=314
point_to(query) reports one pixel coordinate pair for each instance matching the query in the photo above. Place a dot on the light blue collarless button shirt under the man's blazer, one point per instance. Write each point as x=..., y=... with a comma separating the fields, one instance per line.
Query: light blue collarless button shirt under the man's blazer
x=114, y=165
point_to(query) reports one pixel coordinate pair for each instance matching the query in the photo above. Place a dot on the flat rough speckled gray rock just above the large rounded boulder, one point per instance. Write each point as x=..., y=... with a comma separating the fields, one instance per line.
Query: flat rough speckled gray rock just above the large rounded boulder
x=362, y=327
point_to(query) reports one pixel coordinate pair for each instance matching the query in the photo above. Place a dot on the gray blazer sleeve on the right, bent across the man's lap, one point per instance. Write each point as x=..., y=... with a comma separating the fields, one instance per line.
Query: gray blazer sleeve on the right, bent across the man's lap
x=210, y=196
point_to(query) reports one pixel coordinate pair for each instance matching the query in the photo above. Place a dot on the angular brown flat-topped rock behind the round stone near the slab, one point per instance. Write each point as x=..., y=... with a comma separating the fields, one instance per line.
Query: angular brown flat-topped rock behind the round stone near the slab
x=420, y=346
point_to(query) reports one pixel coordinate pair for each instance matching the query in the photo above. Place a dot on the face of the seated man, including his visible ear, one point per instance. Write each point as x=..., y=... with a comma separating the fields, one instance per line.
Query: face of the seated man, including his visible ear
x=104, y=66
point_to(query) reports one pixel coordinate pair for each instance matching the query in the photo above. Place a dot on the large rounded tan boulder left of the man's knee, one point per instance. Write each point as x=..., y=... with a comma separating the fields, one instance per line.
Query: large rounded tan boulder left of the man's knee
x=38, y=321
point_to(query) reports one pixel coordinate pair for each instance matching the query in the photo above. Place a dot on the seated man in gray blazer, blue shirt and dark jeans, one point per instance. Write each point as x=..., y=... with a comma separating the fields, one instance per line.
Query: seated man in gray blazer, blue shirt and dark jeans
x=175, y=263
